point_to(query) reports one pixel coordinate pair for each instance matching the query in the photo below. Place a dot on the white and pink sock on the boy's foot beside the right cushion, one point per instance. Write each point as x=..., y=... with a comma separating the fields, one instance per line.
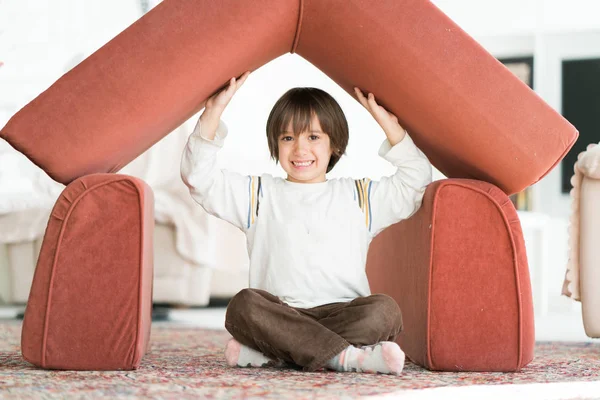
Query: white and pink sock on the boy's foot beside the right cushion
x=382, y=357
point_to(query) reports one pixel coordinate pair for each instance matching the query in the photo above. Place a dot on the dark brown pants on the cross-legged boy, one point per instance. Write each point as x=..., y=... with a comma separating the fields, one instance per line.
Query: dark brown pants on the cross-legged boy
x=309, y=337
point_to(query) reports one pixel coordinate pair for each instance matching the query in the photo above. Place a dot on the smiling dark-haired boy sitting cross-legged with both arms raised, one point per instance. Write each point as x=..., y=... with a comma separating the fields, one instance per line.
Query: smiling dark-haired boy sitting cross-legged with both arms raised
x=308, y=303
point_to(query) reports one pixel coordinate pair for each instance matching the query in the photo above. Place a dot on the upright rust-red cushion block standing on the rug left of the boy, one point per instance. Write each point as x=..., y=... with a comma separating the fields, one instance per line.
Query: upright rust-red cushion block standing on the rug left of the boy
x=90, y=303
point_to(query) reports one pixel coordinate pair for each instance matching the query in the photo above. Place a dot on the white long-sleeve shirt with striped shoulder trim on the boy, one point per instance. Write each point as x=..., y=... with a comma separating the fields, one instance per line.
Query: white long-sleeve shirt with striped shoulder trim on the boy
x=307, y=242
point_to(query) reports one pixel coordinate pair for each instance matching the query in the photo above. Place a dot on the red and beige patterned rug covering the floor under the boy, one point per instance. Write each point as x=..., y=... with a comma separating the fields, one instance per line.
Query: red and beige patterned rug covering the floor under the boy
x=188, y=362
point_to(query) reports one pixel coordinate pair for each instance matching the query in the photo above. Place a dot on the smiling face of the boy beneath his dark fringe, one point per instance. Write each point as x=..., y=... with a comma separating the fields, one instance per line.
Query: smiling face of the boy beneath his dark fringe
x=312, y=146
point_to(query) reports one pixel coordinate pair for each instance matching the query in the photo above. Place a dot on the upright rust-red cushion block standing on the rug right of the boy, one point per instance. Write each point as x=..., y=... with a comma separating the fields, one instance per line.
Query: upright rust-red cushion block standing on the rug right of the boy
x=458, y=270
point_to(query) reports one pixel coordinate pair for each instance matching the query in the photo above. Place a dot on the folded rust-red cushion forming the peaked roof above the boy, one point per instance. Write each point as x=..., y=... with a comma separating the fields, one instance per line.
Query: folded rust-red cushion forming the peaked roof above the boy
x=464, y=109
